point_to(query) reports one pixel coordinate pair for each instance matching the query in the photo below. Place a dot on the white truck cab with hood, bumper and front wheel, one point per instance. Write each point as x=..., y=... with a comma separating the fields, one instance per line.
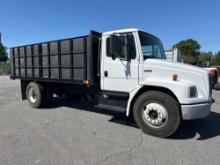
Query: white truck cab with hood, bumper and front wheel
x=133, y=62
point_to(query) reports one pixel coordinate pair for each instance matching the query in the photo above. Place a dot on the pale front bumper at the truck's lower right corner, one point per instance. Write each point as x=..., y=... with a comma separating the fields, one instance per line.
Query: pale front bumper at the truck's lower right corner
x=195, y=111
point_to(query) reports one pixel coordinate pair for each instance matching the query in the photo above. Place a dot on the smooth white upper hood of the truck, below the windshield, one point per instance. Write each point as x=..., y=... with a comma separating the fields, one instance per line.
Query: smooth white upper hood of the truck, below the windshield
x=164, y=70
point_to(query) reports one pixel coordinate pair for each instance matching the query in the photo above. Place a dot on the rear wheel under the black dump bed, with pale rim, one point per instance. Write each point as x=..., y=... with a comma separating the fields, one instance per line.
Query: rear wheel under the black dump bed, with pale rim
x=36, y=95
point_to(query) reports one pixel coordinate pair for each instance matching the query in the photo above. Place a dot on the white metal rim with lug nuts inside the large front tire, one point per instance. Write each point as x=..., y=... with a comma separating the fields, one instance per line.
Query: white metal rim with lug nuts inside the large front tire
x=155, y=114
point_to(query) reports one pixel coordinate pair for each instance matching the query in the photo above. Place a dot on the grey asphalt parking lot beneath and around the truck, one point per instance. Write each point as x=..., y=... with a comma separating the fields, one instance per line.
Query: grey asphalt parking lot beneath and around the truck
x=71, y=132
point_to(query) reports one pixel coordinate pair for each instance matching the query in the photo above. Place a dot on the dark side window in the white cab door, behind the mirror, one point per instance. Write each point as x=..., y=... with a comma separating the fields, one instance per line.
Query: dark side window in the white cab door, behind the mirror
x=125, y=46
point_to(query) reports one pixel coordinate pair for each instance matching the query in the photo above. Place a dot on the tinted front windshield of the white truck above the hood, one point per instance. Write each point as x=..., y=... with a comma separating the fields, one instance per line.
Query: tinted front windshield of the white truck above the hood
x=151, y=46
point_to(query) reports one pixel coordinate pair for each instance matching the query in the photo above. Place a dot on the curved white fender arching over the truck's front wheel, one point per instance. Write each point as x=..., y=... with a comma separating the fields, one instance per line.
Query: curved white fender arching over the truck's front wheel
x=179, y=88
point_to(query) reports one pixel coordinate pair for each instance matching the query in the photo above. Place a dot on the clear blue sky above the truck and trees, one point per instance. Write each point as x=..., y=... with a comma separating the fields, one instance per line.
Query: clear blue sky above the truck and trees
x=30, y=21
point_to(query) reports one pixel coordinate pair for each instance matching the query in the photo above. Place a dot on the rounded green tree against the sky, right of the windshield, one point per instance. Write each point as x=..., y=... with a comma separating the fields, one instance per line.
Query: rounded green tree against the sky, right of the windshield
x=188, y=47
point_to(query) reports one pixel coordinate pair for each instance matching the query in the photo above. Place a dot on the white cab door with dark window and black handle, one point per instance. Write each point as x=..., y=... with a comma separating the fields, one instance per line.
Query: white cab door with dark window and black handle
x=119, y=63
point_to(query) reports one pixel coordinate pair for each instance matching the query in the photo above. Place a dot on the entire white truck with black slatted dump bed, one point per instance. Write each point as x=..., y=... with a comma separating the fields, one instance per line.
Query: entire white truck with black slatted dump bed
x=126, y=69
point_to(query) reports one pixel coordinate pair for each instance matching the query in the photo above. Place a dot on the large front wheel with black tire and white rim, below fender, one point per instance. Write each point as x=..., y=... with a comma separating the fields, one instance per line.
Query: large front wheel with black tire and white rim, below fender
x=157, y=113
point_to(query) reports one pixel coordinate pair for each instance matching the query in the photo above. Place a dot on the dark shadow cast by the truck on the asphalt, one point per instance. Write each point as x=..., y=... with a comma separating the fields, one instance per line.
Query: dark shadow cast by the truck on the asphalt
x=201, y=129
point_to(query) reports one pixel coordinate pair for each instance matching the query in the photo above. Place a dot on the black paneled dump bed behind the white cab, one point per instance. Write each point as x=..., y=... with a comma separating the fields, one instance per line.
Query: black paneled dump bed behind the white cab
x=68, y=60
